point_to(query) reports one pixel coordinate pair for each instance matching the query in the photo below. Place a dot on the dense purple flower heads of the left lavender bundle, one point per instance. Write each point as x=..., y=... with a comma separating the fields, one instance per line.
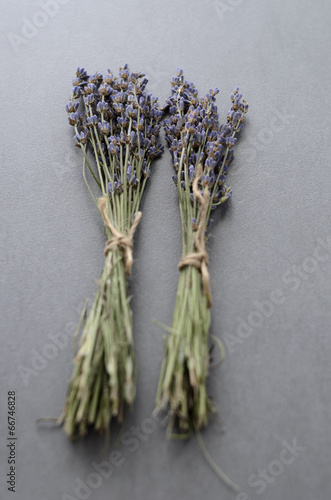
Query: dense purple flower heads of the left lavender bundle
x=119, y=120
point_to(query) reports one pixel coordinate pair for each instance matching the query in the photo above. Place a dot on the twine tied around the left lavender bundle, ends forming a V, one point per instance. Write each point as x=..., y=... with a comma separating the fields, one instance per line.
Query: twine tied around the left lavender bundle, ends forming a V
x=119, y=240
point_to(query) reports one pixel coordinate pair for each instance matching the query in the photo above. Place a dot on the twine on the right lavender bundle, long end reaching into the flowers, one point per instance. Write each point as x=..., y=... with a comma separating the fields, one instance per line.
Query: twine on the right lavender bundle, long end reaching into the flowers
x=199, y=259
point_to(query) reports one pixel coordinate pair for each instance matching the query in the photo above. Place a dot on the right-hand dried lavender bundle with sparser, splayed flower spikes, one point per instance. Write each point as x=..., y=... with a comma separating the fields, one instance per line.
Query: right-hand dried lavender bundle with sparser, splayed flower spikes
x=201, y=153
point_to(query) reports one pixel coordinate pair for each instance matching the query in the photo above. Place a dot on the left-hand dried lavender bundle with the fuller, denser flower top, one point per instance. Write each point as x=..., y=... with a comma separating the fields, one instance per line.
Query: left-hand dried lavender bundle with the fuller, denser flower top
x=119, y=123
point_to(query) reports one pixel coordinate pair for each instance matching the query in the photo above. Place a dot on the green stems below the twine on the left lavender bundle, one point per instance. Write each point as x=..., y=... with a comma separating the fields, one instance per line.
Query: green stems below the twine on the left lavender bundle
x=105, y=363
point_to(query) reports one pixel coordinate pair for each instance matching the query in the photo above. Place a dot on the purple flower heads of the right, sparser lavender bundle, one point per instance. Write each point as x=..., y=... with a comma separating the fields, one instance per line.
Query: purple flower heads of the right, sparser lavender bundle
x=195, y=137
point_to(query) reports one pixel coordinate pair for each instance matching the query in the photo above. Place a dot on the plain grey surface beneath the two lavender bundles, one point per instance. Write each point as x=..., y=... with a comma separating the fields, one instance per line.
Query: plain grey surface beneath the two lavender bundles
x=275, y=385
